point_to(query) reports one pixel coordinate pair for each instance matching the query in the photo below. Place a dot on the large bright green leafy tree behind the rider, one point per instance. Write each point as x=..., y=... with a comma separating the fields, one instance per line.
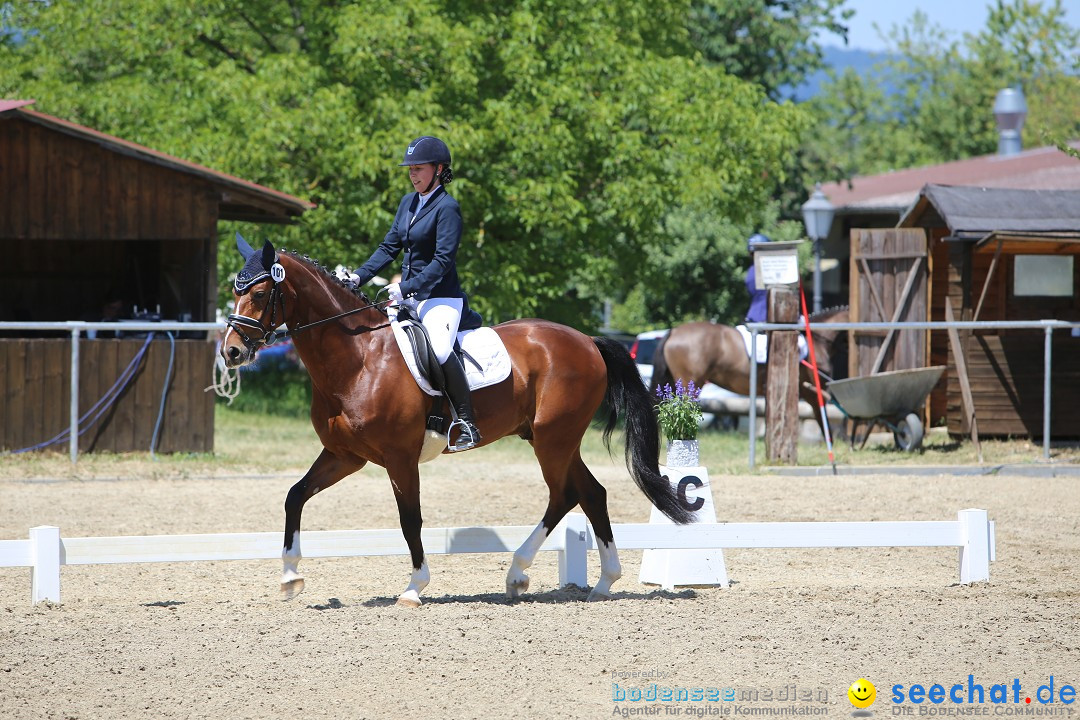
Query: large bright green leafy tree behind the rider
x=576, y=128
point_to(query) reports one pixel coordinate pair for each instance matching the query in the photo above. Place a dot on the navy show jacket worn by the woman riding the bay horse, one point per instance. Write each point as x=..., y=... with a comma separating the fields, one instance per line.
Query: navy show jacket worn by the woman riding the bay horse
x=429, y=240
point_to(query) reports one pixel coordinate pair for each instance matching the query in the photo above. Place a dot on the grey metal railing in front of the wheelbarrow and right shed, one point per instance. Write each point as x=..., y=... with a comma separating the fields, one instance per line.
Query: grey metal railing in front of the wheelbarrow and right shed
x=1048, y=327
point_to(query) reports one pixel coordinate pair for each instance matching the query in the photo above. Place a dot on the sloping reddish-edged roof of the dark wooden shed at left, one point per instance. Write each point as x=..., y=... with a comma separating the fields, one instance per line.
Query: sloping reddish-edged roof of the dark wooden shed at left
x=240, y=200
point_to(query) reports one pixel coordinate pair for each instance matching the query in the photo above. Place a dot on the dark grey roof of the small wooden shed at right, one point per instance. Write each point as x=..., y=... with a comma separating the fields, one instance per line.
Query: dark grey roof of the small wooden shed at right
x=979, y=211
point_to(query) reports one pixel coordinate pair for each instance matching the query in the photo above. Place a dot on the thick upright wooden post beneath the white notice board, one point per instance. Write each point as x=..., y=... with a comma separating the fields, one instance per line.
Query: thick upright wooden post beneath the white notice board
x=782, y=389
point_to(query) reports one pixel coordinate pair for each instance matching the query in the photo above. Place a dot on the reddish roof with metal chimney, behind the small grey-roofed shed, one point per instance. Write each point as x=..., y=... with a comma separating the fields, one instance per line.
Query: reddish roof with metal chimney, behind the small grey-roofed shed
x=1041, y=169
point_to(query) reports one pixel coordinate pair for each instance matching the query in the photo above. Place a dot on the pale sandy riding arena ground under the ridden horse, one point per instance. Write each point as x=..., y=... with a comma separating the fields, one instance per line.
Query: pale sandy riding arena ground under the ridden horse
x=213, y=641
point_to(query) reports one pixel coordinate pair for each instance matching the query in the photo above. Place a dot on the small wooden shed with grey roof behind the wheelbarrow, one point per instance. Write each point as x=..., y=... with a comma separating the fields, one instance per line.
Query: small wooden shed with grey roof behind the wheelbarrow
x=985, y=254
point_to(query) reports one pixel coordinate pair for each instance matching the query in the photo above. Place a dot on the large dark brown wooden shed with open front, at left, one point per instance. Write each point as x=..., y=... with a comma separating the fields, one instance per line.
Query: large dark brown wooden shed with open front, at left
x=88, y=220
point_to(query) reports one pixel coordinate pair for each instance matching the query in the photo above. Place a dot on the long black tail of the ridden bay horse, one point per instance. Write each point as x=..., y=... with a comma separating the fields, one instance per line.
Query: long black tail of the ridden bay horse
x=627, y=396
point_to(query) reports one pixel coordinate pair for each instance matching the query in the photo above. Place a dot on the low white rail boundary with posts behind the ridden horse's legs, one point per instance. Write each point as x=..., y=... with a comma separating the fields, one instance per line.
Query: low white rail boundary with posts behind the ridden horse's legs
x=45, y=552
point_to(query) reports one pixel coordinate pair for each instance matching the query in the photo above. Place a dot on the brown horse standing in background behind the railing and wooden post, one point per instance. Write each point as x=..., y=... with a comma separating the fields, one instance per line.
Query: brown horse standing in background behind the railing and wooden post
x=712, y=352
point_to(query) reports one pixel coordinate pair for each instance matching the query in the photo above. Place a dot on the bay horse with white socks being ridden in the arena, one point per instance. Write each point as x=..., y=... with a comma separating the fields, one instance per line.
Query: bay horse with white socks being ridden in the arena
x=367, y=407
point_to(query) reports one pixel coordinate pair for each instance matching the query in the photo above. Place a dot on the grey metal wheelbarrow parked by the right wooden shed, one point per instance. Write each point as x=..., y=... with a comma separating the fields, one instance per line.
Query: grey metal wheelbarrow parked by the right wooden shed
x=889, y=399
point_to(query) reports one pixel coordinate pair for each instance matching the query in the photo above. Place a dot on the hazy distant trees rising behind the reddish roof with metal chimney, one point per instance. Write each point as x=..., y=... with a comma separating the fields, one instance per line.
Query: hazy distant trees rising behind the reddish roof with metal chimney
x=943, y=107
